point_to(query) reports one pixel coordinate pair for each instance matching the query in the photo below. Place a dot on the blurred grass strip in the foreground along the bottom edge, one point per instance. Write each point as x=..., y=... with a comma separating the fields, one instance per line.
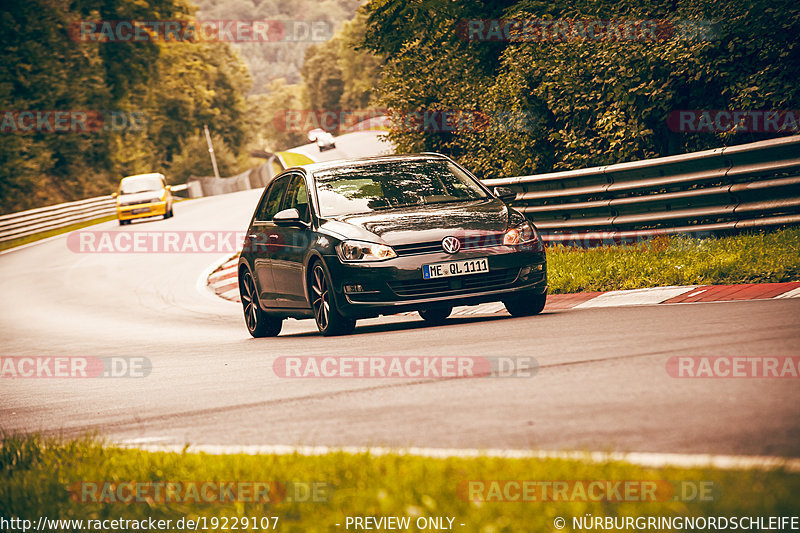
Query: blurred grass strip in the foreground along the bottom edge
x=36, y=475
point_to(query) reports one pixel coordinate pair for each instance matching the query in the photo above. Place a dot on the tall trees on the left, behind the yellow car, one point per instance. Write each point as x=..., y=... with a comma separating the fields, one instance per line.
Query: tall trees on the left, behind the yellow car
x=162, y=92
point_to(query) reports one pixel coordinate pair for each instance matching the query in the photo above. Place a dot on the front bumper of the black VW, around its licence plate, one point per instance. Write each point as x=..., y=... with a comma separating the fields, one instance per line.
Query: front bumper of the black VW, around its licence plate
x=396, y=285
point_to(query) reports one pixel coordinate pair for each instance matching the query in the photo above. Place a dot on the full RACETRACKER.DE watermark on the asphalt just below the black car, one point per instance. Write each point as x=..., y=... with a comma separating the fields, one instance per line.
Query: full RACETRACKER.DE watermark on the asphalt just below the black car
x=407, y=367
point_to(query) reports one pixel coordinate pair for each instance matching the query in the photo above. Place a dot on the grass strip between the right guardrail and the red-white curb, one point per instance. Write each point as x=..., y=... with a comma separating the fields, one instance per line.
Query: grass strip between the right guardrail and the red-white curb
x=678, y=260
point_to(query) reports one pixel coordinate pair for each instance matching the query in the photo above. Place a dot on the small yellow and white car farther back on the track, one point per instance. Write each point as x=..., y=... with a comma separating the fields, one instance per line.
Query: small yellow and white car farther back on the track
x=141, y=196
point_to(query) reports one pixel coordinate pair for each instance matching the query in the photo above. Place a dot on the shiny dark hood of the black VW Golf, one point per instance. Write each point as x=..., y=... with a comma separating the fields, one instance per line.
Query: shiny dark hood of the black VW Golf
x=424, y=223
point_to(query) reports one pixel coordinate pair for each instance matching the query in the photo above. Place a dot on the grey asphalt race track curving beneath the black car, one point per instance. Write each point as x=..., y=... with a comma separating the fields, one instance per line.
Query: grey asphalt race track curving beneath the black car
x=602, y=383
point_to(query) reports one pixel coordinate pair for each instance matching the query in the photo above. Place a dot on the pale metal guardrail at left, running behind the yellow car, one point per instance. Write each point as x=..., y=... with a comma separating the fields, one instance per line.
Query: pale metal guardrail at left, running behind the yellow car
x=25, y=223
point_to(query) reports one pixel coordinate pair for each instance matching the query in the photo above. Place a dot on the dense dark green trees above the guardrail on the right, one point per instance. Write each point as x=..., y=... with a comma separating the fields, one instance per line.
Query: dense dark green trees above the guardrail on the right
x=592, y=102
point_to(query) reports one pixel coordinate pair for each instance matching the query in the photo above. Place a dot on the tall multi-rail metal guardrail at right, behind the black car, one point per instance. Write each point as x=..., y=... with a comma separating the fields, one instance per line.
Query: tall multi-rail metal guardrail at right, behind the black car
x=708, y=192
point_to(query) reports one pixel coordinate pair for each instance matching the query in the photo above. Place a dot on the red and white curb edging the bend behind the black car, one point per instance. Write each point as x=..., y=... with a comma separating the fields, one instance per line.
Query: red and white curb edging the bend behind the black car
x=223, y=282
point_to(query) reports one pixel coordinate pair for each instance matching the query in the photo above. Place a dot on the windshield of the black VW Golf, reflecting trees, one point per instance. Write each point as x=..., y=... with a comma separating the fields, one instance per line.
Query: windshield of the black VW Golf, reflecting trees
x=392, y=184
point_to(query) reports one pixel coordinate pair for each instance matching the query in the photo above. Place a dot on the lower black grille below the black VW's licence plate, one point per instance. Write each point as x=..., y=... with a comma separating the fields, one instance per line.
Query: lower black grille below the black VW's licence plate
x=428, y=288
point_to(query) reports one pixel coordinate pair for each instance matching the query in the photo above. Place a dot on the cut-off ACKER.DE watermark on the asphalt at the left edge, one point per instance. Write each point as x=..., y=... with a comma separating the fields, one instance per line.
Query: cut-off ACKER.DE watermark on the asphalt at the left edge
x=74, y=367
